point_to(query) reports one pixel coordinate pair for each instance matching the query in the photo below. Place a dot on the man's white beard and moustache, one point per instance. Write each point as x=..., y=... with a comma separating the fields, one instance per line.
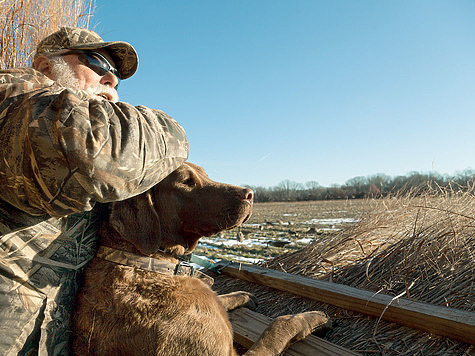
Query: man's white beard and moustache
x=63, y=74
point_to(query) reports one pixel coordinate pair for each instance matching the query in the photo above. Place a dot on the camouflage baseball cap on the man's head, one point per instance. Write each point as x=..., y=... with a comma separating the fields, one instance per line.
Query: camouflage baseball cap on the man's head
x=123, y=54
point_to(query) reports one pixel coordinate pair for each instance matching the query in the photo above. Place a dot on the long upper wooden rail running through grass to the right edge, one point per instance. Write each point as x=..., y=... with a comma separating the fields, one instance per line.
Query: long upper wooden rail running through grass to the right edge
x=449, y=322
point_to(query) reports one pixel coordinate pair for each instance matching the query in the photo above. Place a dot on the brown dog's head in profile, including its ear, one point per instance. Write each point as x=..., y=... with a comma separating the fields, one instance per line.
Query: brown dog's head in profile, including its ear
x=175, y=213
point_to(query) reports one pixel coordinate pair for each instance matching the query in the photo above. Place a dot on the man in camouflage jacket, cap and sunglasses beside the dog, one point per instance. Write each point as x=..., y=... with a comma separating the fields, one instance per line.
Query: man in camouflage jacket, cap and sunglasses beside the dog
x=67, y=145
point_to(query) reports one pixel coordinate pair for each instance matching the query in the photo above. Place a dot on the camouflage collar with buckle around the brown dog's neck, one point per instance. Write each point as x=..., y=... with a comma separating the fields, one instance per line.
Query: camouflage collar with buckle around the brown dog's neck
x=152, y=264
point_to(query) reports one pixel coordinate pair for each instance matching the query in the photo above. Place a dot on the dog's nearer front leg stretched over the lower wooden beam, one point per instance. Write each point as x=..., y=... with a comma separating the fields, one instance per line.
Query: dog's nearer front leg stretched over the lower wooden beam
x=286, y=330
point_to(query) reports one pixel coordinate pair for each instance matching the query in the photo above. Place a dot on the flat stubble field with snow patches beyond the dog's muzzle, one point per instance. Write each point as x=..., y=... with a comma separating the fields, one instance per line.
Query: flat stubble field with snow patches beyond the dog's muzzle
x=276, y=228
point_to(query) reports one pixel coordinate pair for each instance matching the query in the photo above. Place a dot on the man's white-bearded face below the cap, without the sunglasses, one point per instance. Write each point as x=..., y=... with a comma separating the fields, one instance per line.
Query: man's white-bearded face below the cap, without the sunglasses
x=69, y=71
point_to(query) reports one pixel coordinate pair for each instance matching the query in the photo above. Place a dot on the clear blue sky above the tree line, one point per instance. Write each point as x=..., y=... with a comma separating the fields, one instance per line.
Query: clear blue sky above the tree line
x=306, y=90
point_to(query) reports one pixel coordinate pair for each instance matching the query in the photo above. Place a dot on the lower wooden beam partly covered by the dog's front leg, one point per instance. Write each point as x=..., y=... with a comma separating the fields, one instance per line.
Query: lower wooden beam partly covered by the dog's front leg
x=249, y=325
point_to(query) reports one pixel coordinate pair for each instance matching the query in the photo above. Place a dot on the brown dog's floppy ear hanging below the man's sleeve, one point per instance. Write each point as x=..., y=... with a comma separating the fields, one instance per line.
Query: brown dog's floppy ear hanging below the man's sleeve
x=137, y=221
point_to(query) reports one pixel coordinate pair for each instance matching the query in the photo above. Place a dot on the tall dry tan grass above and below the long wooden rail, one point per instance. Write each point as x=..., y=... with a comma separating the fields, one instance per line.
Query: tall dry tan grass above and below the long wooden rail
x=418, y=247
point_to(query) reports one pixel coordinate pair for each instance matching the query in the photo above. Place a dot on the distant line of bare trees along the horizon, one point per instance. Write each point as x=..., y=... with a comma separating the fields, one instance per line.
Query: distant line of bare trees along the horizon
x=374, y=186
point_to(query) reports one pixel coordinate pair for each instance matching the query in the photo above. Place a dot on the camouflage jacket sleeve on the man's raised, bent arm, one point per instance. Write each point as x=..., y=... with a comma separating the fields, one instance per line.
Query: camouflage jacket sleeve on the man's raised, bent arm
x=63, y=150
